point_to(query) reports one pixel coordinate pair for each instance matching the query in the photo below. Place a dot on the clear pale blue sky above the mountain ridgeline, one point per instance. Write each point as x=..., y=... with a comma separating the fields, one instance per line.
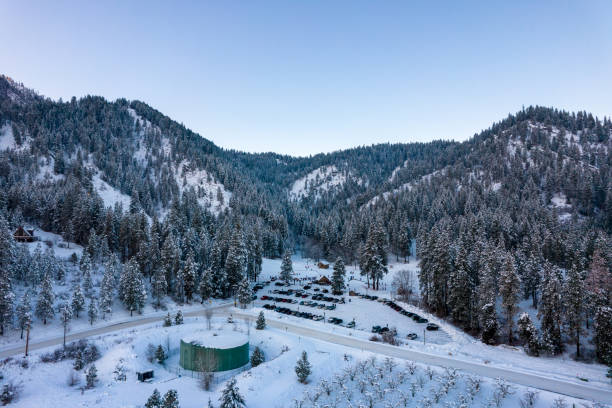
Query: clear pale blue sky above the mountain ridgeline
x=301, y=77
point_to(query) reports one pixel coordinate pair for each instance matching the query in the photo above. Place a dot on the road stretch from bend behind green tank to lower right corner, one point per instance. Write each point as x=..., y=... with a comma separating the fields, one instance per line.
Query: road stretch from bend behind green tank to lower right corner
x=530, y=380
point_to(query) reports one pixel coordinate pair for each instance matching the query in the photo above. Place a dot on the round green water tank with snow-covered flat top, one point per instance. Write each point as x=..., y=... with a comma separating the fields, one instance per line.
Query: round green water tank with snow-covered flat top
x=214, y=351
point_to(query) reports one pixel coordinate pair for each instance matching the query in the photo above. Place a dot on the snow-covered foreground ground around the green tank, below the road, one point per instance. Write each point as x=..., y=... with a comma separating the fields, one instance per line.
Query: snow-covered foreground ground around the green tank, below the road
x=341, y=377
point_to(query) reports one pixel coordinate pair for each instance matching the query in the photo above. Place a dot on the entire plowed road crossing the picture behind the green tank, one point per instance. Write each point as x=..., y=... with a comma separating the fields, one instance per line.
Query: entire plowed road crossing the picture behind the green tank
x=530, y=380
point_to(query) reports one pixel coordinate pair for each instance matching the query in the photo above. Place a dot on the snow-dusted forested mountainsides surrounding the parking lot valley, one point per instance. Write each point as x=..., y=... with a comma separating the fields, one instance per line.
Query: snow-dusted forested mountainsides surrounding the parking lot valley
x=522, y=210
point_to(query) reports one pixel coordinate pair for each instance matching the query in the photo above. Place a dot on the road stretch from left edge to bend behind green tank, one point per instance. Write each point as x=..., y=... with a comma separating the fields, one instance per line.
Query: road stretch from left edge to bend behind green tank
x=14, y=350
